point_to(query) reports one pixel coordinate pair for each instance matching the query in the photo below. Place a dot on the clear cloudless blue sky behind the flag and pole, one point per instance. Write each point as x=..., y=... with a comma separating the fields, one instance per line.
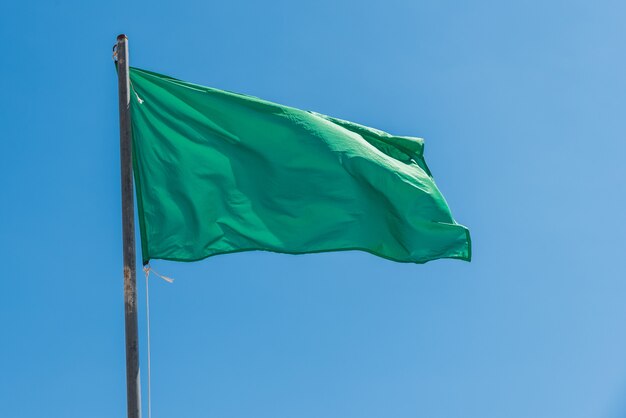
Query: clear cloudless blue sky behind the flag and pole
x=522, y=105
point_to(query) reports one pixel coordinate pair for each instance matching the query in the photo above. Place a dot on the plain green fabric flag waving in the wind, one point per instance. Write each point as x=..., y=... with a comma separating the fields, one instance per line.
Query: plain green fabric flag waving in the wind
x=218, y=172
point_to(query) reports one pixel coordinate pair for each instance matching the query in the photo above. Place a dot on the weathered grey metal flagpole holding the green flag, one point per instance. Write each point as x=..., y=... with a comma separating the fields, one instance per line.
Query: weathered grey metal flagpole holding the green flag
x=133, y=387
